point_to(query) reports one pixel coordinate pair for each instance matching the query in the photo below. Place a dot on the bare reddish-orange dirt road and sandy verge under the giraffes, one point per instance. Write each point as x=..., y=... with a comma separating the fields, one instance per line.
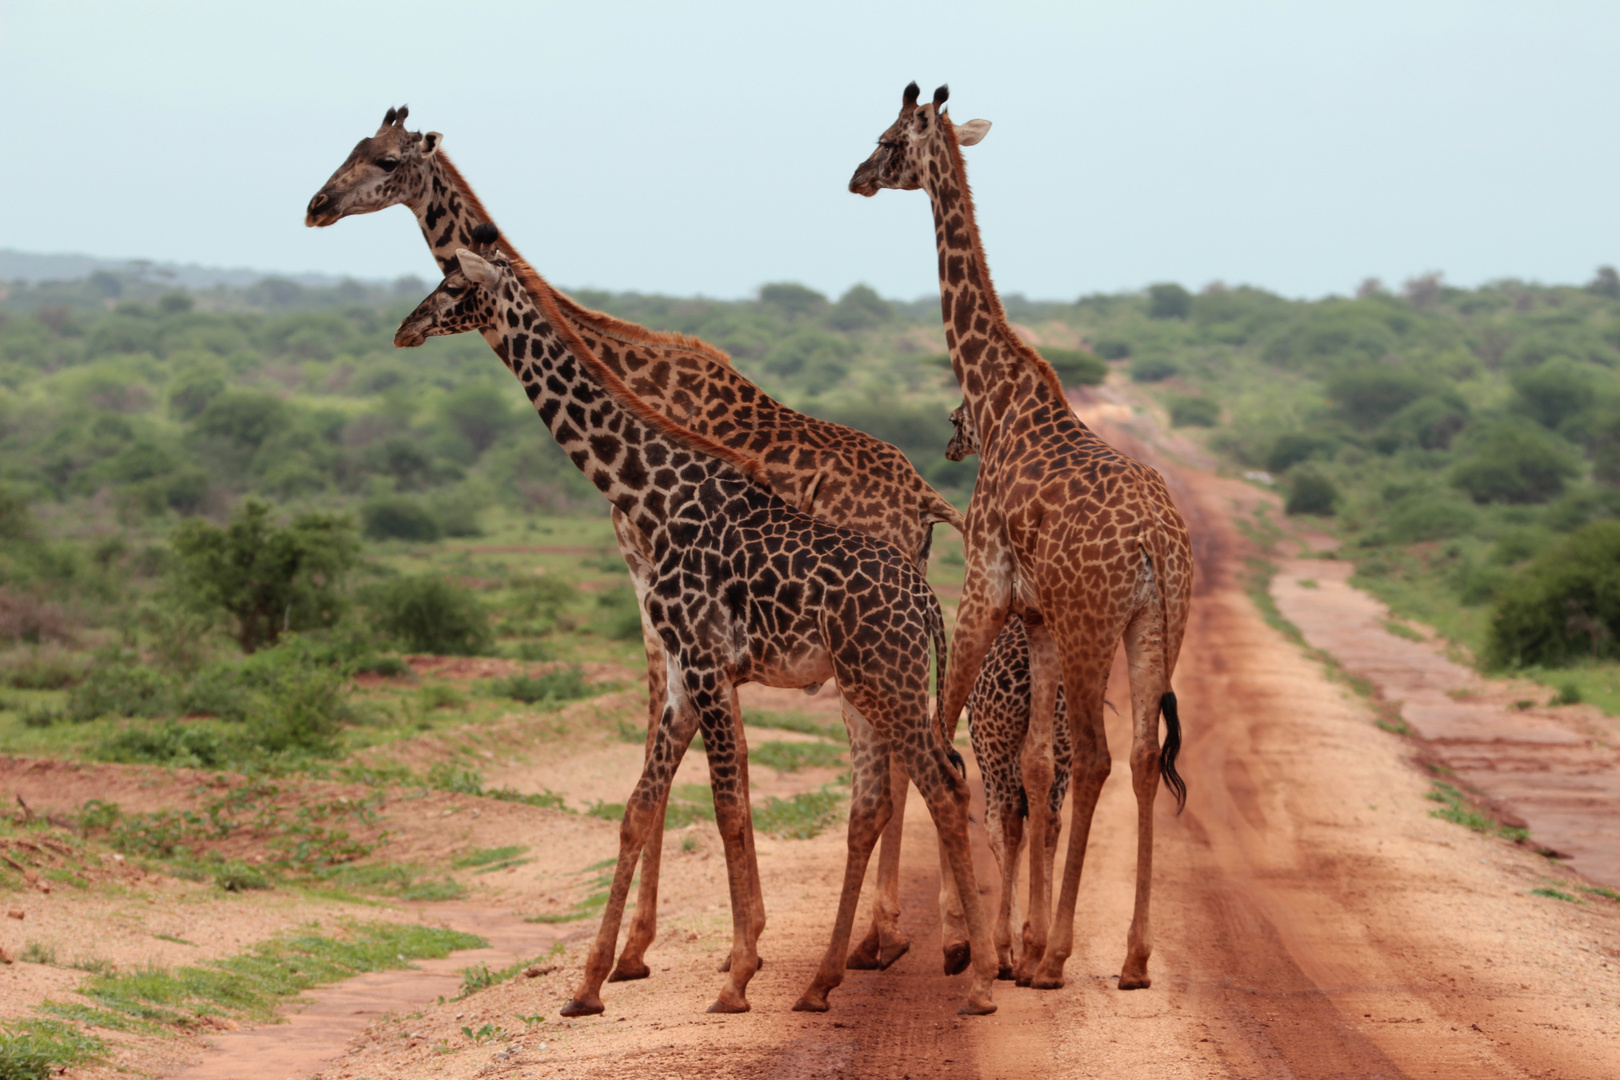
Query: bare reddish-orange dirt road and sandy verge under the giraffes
x=1311, y=917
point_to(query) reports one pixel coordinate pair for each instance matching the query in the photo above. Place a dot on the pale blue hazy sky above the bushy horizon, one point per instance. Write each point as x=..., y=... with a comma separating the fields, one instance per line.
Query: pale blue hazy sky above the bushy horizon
x=706, y=148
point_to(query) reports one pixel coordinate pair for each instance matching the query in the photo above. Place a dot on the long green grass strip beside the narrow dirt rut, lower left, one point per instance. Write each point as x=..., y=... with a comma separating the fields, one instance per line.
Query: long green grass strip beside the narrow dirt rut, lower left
x=255, y=982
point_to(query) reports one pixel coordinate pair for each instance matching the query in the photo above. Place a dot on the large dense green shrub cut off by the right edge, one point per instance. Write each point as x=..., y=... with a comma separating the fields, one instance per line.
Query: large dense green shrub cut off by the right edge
x=1564, y=606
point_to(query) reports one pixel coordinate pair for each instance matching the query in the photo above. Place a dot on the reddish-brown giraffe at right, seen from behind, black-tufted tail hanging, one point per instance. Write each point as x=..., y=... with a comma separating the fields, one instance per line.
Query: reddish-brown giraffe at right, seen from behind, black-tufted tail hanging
x=1078, y=540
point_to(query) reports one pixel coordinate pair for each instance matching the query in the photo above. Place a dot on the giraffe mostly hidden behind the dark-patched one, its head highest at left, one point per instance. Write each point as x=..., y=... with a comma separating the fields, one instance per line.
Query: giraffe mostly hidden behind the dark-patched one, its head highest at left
x=827, y=470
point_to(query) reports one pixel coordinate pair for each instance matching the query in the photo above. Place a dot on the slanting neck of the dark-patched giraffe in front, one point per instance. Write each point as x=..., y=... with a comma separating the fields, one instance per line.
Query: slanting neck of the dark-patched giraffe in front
x=639, y=461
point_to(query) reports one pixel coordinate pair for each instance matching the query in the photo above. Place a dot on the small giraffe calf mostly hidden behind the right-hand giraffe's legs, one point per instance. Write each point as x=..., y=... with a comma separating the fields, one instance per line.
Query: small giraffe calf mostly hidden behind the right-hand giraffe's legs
x=999, y=725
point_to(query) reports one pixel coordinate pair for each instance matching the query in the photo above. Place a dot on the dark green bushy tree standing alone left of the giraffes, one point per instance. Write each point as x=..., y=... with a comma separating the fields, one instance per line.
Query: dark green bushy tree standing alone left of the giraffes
x=266, y=577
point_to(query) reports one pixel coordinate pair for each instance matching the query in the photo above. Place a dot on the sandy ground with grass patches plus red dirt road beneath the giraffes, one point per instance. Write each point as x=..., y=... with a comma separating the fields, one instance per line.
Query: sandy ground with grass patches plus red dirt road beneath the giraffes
x=1334, y=903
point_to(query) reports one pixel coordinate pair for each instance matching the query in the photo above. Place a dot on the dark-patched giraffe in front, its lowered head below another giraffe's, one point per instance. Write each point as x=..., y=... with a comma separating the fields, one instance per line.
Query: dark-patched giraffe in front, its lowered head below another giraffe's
x=744, y=589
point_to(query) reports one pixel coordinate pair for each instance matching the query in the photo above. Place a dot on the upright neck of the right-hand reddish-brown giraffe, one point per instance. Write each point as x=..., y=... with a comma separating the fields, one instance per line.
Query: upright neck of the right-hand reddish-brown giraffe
x=999, y=373
